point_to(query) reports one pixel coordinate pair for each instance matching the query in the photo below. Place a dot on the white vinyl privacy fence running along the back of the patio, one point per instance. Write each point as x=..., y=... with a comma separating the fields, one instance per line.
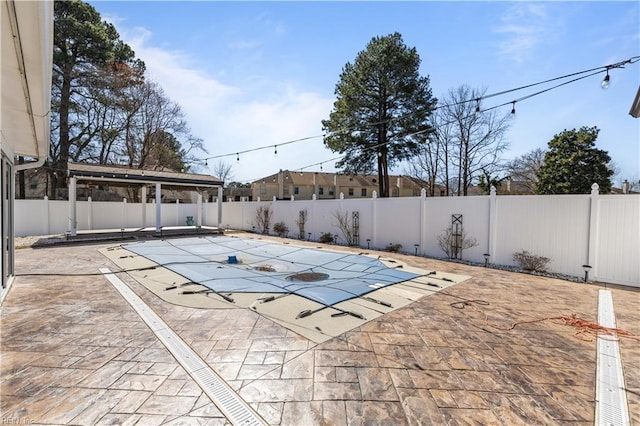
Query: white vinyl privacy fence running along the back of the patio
x=602, y=231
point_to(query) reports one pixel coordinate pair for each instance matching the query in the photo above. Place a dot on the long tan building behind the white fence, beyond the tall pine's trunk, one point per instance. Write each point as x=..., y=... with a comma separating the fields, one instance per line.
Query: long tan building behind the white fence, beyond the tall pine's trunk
x=326, y=186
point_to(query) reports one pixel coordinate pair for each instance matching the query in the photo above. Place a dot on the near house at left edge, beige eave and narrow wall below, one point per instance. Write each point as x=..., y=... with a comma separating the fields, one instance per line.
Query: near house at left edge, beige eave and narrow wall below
x=25, y=103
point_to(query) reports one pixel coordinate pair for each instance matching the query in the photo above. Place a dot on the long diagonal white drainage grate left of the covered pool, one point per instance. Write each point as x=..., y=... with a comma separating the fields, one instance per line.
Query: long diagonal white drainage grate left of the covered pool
x=237, y=411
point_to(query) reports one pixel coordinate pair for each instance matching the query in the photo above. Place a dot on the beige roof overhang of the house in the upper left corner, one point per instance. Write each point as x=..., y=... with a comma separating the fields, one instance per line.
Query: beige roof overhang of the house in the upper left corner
x=25, y=78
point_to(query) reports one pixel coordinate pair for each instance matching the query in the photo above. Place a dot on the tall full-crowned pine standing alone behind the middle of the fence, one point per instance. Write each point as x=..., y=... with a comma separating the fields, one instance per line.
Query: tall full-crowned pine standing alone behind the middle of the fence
x=381, y=103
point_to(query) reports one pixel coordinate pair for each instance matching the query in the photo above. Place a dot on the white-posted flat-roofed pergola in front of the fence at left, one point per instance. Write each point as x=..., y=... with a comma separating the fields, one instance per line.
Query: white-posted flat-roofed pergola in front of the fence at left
x=116, y=175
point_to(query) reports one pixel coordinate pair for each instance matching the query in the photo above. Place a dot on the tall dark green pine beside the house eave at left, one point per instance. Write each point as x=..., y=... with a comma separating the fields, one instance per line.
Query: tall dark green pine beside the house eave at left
x=85, y=50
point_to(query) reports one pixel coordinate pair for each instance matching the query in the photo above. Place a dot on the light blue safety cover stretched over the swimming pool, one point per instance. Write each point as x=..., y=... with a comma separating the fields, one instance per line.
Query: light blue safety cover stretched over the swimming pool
x=263, y=267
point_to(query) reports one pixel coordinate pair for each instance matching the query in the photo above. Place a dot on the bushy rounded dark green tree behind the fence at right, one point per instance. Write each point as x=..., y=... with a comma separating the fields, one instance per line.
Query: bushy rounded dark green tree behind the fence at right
x=573, y=163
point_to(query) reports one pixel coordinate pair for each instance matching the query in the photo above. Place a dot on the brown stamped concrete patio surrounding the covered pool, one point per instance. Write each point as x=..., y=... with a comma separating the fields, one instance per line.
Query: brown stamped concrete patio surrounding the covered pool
x=75, y=352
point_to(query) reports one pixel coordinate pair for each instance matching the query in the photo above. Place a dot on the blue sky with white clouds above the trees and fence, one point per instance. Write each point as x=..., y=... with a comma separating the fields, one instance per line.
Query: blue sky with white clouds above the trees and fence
x=252, y=74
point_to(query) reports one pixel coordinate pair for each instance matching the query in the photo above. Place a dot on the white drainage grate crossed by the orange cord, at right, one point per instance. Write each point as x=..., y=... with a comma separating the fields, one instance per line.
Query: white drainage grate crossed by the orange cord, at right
x=611, y=397
